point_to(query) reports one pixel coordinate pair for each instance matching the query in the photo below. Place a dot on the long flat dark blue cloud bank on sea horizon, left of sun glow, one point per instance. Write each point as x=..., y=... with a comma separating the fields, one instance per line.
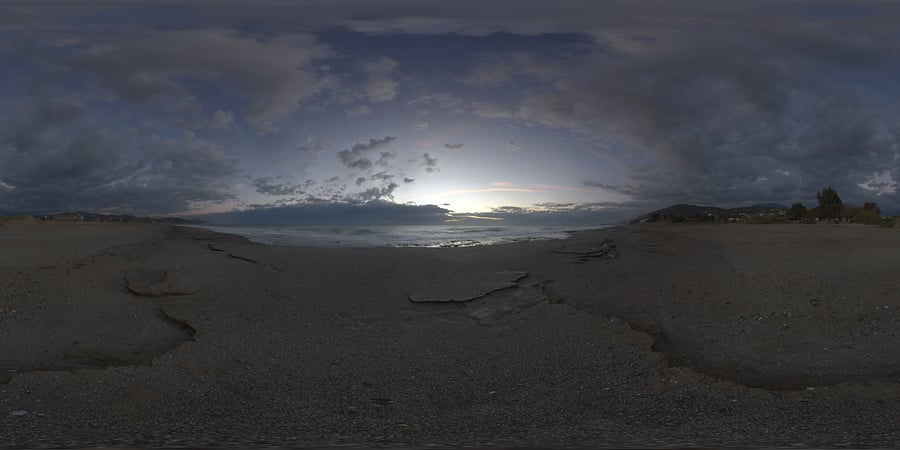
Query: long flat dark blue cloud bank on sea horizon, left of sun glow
x=334, y=213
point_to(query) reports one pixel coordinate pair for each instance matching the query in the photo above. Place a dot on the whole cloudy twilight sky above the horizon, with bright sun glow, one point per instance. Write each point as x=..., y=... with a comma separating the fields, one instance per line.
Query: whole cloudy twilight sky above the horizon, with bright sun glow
x=427, y=110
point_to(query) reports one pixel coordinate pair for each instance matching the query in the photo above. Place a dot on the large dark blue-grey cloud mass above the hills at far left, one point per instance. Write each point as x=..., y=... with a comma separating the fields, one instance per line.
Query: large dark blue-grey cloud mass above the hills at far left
x=54, y=161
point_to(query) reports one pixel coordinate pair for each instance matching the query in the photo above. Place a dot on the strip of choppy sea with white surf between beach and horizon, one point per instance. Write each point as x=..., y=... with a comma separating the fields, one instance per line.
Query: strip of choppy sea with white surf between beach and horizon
x=397, y=235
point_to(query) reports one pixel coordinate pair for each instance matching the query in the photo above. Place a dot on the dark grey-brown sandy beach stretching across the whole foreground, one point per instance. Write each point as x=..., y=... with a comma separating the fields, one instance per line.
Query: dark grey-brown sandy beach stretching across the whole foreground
x=727, y=335
